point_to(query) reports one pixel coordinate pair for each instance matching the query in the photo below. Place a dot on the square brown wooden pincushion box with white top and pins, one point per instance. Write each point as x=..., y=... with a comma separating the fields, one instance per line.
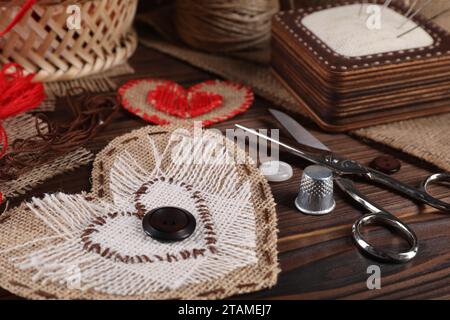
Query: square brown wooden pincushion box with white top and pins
x=348, y=72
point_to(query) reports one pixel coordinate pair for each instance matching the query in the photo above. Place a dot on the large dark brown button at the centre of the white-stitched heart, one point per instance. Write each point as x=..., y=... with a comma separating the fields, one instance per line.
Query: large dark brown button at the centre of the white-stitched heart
x=169, y=224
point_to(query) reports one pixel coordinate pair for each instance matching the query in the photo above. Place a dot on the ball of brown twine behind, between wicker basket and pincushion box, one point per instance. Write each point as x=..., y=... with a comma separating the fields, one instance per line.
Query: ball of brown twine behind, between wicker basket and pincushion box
x=225, y=25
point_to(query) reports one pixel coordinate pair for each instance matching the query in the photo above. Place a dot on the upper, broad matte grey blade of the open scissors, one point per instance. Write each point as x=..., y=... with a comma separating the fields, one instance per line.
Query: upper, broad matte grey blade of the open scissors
x=298, y=132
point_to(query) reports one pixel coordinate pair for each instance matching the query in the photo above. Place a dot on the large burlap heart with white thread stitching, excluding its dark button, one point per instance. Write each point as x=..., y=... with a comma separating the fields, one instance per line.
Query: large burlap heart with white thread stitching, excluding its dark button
x=92, y=245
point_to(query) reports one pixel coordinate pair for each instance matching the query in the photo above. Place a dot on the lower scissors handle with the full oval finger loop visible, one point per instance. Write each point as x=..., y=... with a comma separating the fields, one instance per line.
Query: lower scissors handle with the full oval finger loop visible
x=381, y=217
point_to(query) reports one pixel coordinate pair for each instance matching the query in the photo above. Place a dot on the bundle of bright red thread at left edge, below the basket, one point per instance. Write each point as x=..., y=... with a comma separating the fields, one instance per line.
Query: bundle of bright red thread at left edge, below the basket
x=18, y=94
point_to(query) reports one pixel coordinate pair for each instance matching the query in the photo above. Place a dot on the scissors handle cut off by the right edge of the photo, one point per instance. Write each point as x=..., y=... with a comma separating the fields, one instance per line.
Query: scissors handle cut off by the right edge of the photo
x=421, y=194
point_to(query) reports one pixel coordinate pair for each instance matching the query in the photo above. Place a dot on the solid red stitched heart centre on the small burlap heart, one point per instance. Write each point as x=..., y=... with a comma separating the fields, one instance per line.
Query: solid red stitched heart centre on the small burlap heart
x=173, y=99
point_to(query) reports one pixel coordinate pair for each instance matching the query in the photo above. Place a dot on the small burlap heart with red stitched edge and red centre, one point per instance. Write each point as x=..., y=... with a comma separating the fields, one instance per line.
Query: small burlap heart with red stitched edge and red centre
x=164, y=102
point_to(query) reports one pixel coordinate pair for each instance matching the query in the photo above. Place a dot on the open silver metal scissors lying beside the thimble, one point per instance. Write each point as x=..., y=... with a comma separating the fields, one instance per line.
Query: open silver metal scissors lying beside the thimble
x=311, y=149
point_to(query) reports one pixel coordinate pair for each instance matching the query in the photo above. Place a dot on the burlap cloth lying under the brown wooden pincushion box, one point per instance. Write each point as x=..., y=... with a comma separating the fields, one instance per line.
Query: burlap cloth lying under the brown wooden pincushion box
x=415, y=142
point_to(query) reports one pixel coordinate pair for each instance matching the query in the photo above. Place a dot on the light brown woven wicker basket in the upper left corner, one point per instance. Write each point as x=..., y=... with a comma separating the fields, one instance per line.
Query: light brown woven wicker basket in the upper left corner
x=43, y=44
